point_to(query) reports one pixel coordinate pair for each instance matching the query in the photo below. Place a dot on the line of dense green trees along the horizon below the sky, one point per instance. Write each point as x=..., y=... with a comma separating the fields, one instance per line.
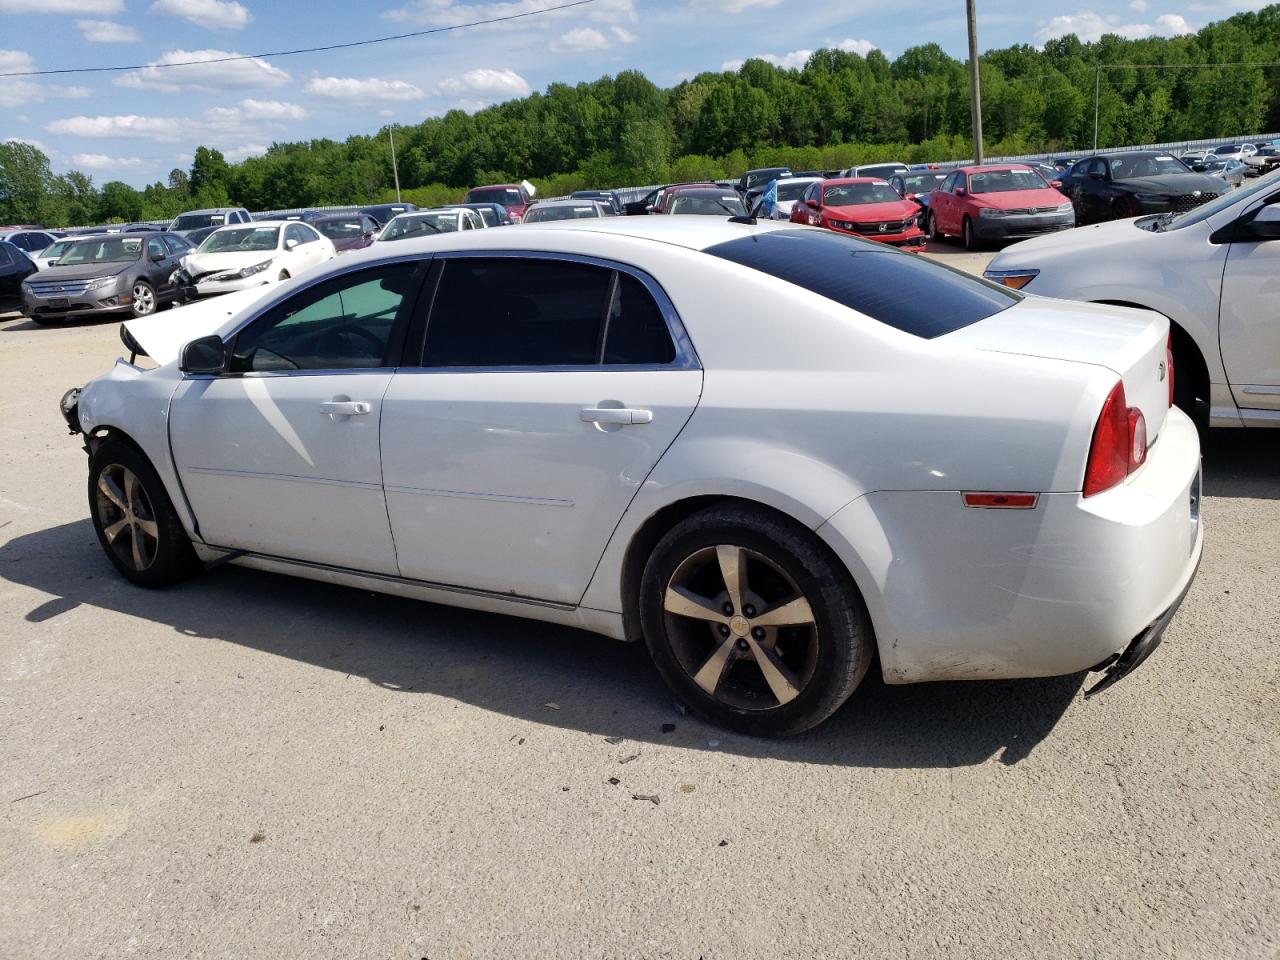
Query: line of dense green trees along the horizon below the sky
x=839, y=109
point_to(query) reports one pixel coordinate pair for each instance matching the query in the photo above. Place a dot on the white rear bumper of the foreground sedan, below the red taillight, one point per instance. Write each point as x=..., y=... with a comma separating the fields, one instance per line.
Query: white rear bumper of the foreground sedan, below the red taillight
x=963, y=595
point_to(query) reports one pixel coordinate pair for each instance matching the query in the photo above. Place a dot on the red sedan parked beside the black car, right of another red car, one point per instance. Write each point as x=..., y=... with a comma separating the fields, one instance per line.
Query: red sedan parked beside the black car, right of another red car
x=998, y=202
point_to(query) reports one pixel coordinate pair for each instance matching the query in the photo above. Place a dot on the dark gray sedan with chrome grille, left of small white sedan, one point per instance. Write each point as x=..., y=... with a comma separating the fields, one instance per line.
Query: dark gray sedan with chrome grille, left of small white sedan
x=124, y=273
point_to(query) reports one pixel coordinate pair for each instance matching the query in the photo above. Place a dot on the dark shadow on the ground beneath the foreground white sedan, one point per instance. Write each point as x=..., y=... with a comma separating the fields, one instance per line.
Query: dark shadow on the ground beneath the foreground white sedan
x=515, y=668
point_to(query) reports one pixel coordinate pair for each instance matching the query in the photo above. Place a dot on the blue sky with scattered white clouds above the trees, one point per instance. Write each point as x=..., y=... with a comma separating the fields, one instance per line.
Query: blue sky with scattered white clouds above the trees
x=138, y=126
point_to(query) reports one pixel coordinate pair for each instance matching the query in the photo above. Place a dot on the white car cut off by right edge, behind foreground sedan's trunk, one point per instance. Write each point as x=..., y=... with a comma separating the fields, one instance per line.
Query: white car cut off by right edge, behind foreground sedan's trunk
x=1212, y=272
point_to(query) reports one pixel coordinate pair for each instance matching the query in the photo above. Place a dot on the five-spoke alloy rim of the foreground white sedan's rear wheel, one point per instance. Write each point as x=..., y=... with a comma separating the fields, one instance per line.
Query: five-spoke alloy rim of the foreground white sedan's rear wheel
x=740, y=628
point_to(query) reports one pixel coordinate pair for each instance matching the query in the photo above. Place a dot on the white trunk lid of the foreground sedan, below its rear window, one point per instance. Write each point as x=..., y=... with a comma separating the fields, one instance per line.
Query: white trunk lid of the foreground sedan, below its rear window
x=1132, y=344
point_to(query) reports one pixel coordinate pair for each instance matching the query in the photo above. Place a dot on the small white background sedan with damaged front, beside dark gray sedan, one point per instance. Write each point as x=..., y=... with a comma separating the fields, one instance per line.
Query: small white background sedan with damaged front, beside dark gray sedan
x=249, y=255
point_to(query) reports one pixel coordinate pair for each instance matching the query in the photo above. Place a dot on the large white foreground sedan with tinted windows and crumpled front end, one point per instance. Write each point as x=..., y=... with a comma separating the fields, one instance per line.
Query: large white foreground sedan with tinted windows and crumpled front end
x=770, y=452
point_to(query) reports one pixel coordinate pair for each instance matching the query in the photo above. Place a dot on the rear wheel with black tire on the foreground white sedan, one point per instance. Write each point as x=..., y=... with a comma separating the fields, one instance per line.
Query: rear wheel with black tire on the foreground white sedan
x=826, y=657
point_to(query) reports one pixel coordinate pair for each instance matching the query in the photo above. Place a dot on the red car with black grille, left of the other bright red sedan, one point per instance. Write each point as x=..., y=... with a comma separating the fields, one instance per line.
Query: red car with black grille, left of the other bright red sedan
x=863, y=207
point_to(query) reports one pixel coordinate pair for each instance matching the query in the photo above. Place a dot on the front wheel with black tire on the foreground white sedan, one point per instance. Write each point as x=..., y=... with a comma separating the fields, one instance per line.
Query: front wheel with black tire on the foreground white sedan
x=164, y=548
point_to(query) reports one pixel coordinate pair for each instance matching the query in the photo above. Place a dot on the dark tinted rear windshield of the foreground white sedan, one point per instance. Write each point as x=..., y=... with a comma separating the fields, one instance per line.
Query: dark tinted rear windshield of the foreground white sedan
x=900, y=290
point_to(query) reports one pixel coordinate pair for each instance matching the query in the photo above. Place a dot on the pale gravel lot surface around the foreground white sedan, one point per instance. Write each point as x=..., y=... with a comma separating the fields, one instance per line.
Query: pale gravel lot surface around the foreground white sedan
x=254, y=766
